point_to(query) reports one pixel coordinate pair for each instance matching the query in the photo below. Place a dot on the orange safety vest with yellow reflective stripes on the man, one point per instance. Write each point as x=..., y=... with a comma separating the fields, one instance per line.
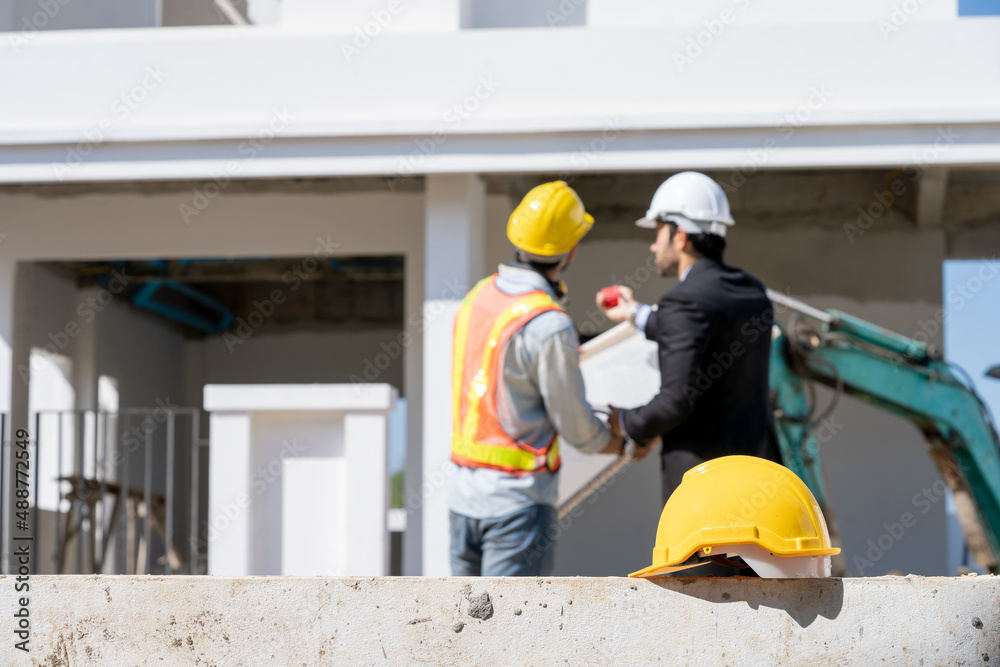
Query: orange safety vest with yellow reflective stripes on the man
x=485, y=322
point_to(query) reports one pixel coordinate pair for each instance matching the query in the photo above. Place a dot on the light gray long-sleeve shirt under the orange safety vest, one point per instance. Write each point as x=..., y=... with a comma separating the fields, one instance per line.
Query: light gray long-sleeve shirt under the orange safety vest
x=541, y=394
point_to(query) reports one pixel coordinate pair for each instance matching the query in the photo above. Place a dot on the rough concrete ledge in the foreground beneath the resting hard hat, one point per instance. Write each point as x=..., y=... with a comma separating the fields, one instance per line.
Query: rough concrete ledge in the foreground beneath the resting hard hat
x=309, y=621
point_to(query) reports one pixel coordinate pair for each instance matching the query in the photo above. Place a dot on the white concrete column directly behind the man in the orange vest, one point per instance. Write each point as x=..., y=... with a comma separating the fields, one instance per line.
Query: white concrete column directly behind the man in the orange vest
x=453, y=261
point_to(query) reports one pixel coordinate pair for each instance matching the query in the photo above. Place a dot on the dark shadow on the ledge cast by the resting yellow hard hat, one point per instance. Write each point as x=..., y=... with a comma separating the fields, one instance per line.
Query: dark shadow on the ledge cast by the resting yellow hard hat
x=802, y=599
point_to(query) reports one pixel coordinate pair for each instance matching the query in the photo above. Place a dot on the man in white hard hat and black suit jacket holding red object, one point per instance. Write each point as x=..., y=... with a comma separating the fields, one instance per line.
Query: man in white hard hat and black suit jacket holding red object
x=713, y=330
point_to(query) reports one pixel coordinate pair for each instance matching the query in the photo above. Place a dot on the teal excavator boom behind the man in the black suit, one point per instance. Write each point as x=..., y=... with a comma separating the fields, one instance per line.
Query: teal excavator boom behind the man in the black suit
x=901, y=375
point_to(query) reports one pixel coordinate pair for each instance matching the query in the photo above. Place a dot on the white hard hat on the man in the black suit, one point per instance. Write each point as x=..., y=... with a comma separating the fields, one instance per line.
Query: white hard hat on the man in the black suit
x=692, y=201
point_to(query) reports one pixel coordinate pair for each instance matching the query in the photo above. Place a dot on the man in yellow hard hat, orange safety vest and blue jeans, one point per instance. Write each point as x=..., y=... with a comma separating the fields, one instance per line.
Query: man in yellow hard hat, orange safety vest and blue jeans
x=518, y=394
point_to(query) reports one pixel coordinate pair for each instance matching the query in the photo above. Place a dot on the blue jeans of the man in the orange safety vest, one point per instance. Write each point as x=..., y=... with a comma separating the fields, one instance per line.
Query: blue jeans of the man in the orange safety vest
x=517, y=545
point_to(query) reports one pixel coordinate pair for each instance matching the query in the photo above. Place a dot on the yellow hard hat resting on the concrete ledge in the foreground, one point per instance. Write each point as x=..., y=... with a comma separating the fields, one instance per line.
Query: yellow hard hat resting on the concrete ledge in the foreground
x=738, y=500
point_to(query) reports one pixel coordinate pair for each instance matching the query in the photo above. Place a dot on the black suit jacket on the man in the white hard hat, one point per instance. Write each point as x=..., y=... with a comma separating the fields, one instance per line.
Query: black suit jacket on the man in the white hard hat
x=714, y=331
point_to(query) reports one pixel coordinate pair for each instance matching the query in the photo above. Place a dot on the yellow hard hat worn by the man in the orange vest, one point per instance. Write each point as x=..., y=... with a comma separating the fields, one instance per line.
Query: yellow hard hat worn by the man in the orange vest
x=549, y=221
